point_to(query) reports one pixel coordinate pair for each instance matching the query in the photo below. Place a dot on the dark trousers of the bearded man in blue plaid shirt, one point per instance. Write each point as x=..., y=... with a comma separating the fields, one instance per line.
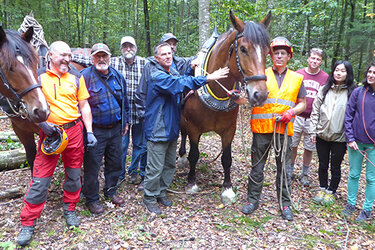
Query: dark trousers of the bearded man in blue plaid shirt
x=110, y=146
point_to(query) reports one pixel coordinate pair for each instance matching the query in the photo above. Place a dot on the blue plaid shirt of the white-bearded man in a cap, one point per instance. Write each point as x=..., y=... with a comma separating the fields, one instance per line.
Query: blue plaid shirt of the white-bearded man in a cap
x=104, y=107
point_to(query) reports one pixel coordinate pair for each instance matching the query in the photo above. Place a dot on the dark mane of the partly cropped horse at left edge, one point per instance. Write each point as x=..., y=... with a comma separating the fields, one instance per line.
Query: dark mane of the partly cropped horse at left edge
x=15, y=46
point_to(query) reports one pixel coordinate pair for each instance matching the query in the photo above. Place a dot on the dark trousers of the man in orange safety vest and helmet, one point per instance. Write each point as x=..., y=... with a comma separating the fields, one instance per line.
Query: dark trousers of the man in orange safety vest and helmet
x=259, y=154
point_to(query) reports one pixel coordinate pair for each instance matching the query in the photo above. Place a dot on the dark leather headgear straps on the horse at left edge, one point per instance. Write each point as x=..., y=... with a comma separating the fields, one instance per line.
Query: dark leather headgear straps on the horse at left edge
x=16, y=104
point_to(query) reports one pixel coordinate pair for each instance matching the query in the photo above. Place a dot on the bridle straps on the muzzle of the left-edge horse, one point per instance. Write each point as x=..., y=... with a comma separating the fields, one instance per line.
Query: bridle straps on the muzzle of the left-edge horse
x=19, y=108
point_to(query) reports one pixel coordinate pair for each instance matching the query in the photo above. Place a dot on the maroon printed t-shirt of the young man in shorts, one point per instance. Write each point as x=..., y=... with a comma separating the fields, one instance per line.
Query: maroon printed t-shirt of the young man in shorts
x=312, y=83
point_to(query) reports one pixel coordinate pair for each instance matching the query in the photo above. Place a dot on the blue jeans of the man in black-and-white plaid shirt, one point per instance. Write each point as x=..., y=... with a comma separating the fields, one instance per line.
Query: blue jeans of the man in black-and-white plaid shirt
x=139, y=154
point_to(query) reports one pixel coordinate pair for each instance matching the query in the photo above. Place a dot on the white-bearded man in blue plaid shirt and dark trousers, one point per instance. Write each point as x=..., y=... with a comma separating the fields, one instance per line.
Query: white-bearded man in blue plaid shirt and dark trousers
x=110, y=118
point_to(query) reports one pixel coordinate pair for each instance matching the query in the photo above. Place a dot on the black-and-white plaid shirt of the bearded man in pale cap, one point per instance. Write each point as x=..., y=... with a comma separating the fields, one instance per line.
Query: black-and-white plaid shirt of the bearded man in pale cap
x=131, y=72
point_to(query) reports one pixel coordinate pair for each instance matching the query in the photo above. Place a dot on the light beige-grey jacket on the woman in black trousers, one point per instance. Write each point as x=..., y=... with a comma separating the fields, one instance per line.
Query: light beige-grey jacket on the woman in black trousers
x=327, y=117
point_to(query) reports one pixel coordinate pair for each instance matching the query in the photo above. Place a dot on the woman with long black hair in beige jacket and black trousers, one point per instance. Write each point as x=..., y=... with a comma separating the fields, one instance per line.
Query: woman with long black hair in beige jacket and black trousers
x=327, y=128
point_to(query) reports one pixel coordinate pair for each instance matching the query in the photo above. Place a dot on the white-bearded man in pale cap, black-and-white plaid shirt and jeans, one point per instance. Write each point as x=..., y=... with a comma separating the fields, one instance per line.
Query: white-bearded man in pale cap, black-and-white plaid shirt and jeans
x=131, y=66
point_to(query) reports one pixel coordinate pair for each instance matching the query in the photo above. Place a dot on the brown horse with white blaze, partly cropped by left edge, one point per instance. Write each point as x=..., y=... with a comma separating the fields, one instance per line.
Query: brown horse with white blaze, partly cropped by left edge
x=20, y=89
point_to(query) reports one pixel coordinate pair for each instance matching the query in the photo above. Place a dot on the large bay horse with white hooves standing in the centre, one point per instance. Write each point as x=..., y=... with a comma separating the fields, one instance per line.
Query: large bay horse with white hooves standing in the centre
x=244, y=50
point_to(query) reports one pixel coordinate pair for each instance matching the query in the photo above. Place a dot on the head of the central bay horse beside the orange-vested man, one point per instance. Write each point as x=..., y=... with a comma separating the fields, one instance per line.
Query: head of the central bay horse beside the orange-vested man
x=248, y=54
